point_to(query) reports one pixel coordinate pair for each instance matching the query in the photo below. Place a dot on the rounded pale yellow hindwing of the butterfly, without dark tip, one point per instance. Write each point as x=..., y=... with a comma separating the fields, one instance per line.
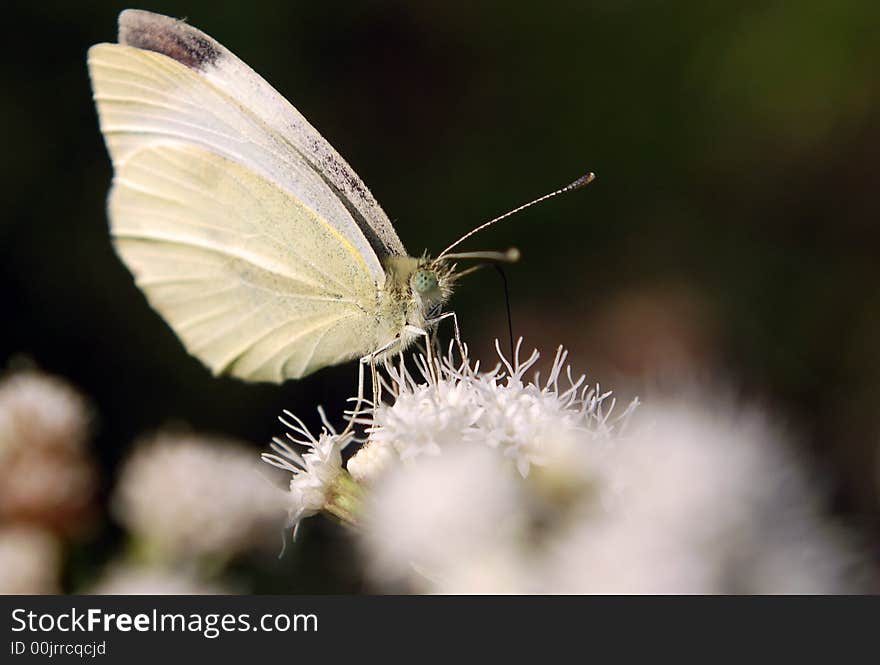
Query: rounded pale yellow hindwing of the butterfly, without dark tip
x=253, y=281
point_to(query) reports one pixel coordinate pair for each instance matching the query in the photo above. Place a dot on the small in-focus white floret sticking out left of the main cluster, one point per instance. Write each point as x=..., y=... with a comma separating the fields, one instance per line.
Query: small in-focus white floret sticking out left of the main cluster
x=318, y=481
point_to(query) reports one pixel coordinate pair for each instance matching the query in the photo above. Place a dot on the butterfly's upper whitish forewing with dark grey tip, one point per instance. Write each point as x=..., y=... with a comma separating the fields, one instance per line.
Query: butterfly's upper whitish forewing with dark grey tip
x=218, y=93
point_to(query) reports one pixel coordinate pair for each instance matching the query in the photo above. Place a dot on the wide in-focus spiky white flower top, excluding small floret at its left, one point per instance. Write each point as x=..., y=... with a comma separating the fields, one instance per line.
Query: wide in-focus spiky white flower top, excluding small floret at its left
x=529, y=422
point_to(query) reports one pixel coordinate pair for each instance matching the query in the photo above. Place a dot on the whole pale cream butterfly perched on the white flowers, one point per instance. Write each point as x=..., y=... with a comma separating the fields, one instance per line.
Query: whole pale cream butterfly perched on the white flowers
x=253, y=238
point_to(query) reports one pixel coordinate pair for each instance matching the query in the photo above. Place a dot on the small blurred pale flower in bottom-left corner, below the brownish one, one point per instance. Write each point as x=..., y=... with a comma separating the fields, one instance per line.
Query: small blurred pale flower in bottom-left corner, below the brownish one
x=30, y=561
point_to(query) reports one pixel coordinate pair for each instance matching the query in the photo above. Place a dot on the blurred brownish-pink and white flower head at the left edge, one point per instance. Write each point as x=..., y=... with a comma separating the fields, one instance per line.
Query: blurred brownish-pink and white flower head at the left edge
x=46, y=475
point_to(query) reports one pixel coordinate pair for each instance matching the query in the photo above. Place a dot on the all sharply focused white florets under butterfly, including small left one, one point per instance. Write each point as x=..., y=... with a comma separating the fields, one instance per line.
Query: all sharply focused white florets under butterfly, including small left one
x=525, y=425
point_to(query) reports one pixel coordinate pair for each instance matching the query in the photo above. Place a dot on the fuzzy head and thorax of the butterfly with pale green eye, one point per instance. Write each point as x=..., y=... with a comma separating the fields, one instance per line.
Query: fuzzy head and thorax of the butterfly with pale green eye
x=414, y=292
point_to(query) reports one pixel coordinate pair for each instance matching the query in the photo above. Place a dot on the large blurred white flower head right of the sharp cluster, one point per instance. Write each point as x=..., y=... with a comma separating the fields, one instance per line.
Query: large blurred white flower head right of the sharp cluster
x=703, y=499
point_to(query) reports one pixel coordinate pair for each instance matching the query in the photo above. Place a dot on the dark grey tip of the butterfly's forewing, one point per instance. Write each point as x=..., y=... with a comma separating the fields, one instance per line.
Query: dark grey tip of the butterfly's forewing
x=171, y=37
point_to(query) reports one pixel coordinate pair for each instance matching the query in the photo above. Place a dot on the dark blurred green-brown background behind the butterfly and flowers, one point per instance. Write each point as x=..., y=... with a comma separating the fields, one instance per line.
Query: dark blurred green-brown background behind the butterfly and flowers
x=732, y=233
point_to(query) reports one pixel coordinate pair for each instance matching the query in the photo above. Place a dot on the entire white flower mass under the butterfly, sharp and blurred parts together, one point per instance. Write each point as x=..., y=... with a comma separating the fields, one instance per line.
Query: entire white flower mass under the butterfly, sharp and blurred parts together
x=486, y=481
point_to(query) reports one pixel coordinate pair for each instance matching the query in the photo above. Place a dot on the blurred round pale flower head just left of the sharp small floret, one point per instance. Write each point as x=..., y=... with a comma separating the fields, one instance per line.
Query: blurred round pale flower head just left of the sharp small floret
x=189, y=496
